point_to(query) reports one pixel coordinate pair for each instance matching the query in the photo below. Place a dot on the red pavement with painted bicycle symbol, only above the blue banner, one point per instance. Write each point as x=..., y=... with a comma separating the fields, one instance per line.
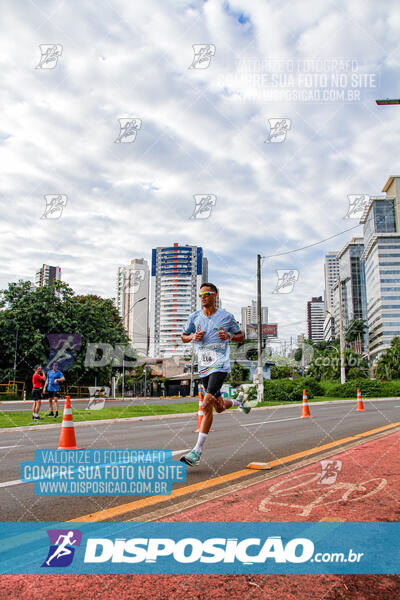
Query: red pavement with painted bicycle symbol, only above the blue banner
x=359, y=484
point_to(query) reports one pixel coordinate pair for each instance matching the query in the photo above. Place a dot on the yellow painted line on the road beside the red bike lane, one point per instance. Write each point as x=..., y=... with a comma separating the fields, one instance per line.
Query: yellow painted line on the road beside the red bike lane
x=115, y=511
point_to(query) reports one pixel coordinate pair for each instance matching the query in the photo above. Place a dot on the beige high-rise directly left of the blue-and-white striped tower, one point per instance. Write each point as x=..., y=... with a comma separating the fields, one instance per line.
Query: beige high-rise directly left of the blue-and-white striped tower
x=133, y=302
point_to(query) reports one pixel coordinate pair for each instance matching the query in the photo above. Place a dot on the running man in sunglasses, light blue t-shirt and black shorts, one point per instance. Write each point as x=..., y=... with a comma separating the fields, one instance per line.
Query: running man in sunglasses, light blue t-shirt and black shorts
x=212, y=329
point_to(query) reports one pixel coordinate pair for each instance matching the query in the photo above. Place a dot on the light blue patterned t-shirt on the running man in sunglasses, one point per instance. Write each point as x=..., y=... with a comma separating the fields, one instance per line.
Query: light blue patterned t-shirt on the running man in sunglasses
x=213, y=354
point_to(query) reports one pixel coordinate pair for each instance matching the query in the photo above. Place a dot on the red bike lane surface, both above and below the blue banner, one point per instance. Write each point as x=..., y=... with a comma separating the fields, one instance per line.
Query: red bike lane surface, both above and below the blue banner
x=359, y=484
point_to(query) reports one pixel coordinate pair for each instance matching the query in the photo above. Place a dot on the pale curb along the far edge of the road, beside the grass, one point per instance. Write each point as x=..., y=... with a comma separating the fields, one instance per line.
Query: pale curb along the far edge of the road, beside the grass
x=171, y=416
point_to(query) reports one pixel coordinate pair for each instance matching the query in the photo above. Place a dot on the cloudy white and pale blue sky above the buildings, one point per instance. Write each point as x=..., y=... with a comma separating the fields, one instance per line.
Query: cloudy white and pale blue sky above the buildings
x=315, y=67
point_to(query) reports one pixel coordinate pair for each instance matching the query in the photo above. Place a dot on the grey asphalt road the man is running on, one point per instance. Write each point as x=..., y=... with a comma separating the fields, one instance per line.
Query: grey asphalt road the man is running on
x=236, y=440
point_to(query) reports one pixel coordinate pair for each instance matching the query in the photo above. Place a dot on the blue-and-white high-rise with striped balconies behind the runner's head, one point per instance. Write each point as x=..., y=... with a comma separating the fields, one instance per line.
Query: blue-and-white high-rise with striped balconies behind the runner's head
x=177, y=273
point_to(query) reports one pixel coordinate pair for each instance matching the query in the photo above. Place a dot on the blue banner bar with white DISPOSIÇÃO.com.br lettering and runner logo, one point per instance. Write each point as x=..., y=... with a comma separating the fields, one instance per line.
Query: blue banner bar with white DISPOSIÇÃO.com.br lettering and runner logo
x=196, y=548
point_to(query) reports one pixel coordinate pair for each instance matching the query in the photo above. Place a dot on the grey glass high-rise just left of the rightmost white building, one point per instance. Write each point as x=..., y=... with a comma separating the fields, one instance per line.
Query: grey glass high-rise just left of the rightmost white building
x=354, y=291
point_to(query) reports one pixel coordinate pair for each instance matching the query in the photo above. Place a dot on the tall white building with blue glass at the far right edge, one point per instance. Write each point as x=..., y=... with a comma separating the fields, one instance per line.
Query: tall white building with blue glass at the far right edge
x=381, y=220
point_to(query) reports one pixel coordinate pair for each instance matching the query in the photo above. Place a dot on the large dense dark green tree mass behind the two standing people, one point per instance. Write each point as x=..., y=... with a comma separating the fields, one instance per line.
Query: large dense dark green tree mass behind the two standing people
x=54, y=309
